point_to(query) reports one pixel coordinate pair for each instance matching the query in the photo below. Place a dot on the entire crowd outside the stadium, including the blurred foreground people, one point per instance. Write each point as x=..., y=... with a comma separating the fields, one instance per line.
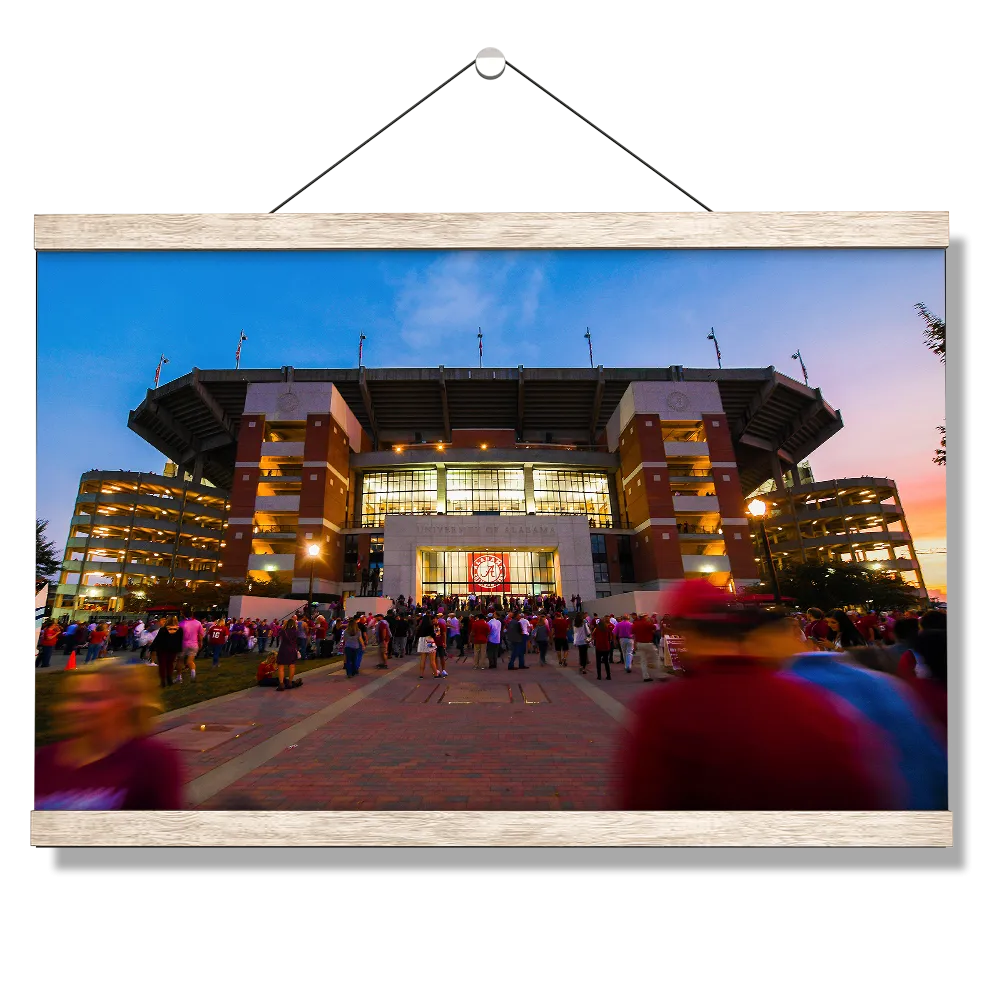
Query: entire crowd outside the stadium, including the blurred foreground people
x=763, y=710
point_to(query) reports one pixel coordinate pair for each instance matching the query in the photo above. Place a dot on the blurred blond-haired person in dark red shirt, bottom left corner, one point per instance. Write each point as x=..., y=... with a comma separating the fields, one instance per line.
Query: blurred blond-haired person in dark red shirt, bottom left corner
x=107, y=759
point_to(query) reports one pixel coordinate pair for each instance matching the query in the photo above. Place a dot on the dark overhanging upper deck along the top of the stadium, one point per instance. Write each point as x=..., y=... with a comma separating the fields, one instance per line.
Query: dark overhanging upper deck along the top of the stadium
x=199, y=414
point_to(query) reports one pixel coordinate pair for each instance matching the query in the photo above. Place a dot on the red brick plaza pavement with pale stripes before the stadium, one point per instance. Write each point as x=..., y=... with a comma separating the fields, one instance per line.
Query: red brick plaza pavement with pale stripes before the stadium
x=542, y=738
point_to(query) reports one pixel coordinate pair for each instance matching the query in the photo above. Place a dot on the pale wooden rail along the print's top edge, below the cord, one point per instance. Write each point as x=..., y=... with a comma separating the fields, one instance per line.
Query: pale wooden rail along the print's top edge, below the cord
x=680, y=229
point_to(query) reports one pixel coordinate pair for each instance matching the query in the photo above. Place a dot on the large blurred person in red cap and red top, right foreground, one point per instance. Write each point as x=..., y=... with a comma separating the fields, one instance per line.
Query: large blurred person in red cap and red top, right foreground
x=736, y=732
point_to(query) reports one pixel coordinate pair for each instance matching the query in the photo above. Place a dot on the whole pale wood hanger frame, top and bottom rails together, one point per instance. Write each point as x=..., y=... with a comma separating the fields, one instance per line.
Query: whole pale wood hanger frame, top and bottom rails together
x=486, y=229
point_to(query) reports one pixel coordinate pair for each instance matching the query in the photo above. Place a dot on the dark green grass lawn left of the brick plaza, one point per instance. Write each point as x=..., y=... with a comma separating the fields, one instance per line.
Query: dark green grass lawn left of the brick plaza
x=234, y=673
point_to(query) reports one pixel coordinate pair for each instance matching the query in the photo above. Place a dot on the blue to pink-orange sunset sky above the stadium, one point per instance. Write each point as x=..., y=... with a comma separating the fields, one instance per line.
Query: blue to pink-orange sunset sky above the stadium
x=104, y=319
